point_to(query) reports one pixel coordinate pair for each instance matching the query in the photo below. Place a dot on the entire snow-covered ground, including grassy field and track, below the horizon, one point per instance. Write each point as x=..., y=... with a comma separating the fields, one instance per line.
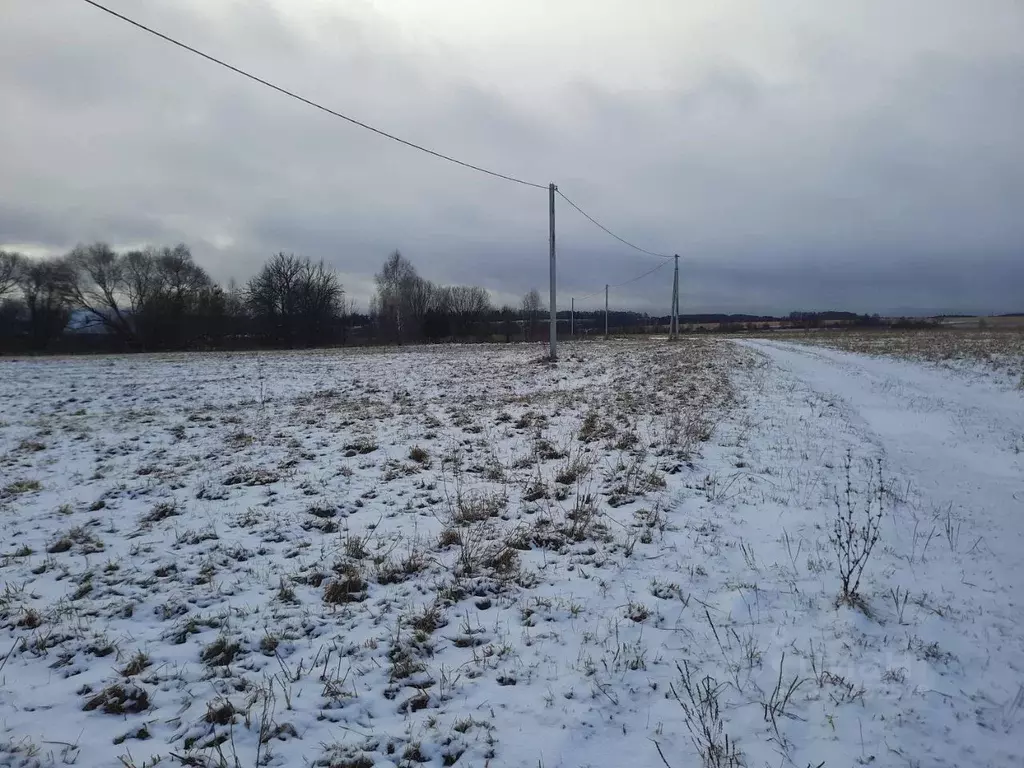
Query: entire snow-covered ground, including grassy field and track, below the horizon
x=462, y=557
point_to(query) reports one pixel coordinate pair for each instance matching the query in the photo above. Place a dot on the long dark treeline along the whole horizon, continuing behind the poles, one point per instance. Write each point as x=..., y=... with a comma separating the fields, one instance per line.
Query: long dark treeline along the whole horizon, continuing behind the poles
x=156, y=300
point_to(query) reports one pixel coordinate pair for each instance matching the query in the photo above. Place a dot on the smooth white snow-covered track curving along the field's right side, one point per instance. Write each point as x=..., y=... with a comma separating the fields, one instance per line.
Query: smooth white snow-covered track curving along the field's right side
x=960, y=440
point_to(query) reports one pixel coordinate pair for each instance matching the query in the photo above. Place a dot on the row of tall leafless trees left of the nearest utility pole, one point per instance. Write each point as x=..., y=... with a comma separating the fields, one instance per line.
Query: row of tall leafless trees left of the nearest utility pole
x=159, y=298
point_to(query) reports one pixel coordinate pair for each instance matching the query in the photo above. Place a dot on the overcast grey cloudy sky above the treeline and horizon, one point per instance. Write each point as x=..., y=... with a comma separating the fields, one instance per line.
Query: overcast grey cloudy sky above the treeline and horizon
x=798, y=155
